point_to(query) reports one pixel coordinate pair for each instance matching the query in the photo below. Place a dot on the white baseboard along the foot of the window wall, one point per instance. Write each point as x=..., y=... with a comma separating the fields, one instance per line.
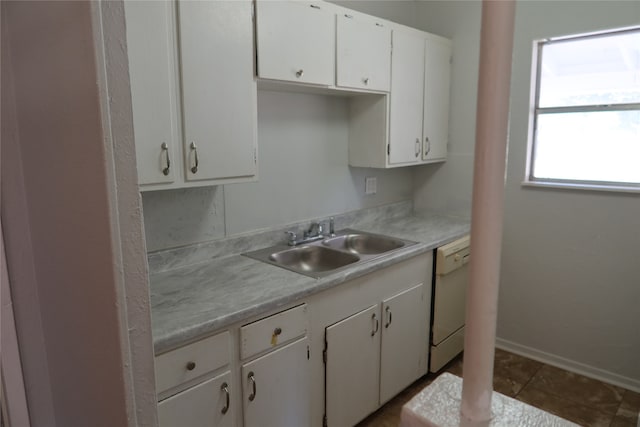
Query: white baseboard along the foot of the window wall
x=569, y=365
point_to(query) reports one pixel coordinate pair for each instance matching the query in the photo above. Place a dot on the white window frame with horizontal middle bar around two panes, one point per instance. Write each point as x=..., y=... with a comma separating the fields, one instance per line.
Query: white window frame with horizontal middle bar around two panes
x=536, y=111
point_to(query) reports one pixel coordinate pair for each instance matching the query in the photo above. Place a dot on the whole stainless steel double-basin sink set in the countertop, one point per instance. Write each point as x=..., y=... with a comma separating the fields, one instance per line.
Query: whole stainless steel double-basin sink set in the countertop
x=327, y=255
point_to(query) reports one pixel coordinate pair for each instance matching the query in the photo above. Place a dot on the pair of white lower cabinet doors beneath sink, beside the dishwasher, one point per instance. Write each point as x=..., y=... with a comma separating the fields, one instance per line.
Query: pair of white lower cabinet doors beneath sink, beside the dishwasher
x=374, y=354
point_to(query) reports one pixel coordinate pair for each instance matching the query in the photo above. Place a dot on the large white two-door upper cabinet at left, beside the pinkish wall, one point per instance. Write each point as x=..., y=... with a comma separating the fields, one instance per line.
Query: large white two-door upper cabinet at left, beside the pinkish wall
x=193, y=90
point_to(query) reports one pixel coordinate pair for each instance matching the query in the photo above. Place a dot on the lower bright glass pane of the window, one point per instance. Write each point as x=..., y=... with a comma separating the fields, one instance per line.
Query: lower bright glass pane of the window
x=593, y=146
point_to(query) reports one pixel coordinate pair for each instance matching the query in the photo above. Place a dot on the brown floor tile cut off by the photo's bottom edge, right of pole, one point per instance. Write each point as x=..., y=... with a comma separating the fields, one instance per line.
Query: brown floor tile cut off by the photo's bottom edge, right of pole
x=584, y=415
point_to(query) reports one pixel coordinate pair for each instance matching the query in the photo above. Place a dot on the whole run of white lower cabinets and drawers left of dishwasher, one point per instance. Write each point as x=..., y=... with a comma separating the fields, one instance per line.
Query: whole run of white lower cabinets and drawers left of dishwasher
x=272, y=371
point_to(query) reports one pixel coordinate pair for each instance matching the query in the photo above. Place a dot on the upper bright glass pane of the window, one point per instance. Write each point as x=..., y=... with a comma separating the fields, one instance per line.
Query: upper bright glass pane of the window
x=591, y=71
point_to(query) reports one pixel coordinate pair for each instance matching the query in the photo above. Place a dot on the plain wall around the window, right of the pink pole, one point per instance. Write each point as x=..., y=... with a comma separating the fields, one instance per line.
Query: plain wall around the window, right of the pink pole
x=571, y=277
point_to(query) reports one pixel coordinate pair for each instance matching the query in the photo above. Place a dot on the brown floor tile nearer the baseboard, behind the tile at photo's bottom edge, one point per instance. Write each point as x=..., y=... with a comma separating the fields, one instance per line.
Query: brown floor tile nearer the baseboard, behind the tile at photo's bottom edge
x=577, y=388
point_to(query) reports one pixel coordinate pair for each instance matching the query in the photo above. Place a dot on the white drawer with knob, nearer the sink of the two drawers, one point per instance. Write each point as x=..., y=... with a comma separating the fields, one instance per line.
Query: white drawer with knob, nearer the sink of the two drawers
x=272, y=331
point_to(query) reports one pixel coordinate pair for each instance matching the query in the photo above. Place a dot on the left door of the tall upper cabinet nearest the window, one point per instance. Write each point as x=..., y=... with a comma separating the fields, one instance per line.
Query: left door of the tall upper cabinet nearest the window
x=407, y=79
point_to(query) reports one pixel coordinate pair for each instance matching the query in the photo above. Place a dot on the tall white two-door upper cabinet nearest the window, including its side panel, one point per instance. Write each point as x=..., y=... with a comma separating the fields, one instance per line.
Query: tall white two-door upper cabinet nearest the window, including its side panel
x=418, y=107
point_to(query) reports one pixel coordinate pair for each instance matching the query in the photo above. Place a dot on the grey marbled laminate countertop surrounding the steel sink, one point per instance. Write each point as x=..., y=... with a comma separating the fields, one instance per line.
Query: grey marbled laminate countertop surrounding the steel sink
x=195, y=300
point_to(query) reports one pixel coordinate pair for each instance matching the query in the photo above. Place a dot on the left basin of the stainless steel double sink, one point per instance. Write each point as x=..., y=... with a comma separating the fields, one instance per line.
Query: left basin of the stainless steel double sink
x=312, y=258
